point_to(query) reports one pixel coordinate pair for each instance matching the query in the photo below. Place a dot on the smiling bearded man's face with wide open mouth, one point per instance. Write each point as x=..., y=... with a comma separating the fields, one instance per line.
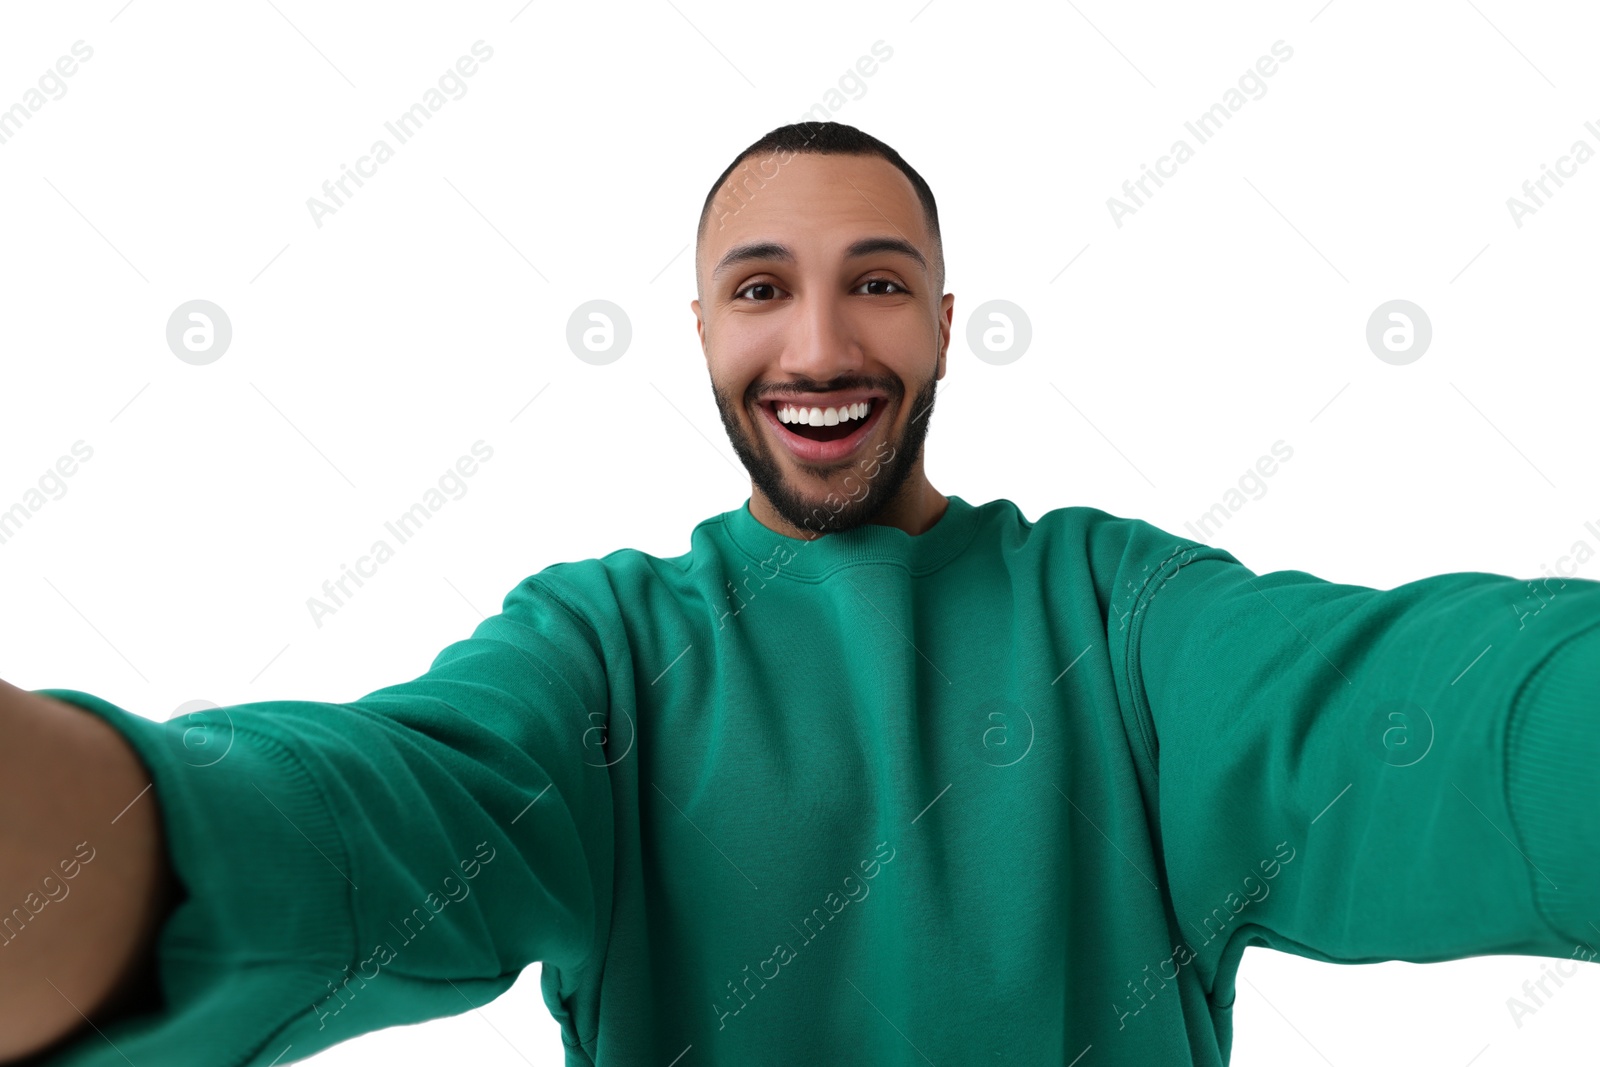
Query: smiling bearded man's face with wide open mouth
x=814, y=297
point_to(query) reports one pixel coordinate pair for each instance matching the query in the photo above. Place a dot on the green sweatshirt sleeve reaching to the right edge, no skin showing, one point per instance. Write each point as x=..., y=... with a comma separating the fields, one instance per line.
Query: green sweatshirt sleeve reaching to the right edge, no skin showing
x=1358, y=775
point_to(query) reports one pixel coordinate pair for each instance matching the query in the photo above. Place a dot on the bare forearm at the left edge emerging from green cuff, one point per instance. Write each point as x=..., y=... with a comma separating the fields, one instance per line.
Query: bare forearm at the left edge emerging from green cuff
x=78, y=821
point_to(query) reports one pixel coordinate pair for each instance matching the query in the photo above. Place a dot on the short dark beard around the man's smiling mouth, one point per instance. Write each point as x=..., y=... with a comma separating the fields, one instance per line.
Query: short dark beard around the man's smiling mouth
x=882, y=489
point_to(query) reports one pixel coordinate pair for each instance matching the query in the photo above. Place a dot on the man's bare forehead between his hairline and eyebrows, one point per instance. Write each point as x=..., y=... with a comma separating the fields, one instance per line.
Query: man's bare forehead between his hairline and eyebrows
x=812, y=202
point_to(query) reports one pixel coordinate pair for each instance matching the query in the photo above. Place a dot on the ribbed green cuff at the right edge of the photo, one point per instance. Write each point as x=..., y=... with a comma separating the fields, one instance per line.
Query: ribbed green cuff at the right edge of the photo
x=1553, y=780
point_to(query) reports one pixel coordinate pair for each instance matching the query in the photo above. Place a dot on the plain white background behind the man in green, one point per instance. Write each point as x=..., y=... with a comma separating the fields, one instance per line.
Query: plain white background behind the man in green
x=370, y=353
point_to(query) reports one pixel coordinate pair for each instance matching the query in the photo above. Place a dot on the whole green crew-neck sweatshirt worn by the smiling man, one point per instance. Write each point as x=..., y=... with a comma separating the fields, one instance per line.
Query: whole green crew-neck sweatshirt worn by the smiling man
x=1006, y=793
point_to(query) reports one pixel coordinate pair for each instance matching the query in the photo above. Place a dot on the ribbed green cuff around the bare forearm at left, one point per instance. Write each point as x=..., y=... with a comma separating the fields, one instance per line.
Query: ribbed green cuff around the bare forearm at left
x=266, y=917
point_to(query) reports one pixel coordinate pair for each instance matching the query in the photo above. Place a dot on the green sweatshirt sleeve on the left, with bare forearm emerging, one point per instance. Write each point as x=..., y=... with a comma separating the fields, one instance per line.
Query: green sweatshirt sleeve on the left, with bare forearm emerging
x=393, y=860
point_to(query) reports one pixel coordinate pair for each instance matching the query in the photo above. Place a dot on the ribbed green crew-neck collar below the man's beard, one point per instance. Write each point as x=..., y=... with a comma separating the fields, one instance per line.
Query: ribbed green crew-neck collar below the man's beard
x=814, y=559
